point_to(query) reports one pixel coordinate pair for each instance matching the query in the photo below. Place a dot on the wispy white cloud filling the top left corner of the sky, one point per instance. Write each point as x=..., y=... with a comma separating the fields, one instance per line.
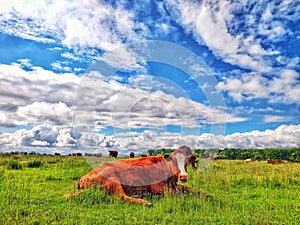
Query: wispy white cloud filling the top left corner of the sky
x=75, y=23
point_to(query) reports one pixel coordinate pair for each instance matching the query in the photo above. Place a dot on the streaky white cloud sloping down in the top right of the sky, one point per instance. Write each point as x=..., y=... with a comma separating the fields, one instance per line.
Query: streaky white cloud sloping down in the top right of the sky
x=233, y=30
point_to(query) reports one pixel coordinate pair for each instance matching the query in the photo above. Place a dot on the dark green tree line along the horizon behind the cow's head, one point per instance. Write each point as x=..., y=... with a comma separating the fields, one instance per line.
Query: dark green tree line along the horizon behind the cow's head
x=292, y=154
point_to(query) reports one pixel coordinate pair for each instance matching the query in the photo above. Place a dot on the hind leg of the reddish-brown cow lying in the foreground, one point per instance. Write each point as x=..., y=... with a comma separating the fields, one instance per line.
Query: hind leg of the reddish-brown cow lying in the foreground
x=116, y=189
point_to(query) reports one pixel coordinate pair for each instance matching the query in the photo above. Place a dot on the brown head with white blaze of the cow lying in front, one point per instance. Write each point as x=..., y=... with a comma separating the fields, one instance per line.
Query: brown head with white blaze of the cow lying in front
x=177, y=163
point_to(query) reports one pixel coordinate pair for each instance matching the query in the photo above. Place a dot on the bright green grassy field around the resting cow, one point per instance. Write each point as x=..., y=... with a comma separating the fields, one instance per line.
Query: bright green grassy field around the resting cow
x=32, y=190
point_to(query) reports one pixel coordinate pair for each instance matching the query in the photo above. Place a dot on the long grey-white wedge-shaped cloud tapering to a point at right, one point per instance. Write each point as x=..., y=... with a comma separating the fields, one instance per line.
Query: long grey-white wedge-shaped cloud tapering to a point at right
x=41, y=96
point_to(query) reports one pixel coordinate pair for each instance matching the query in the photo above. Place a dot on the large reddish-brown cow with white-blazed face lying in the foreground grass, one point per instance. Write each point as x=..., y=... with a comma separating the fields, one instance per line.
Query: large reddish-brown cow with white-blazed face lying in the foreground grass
x=129, y=177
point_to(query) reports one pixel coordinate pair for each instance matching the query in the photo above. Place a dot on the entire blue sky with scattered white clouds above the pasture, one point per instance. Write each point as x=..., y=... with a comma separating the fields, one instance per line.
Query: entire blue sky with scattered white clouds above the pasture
x=201, y=73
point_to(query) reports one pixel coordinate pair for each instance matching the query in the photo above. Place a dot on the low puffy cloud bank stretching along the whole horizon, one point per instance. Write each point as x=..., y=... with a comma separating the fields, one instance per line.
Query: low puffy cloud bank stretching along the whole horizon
x=285, y=136
